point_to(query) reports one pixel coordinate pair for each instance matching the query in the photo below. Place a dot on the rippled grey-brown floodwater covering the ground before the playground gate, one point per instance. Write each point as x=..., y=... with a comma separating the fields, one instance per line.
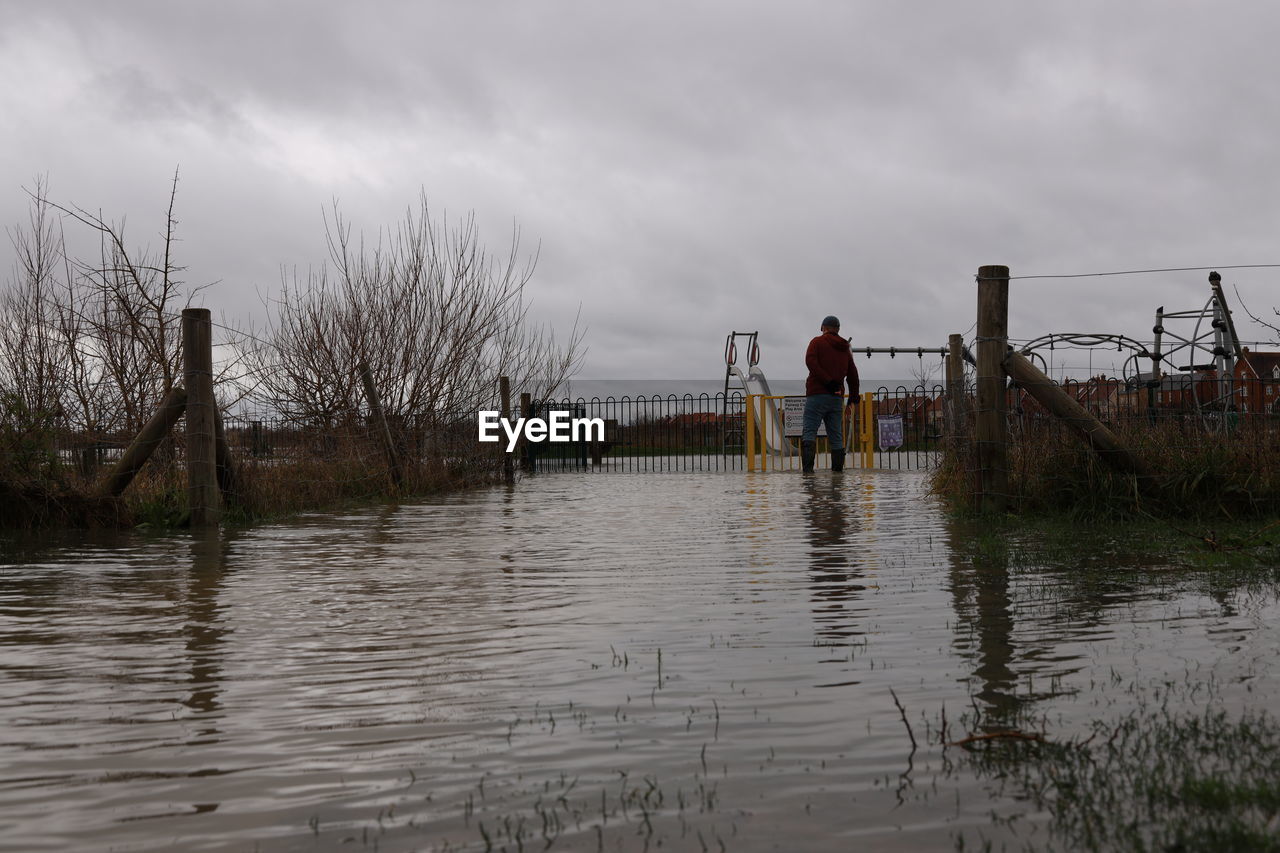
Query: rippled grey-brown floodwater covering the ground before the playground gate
x=584, y=662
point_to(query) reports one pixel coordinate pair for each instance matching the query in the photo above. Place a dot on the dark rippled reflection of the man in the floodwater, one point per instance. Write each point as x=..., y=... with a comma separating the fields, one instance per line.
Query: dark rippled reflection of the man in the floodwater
x=834, y=523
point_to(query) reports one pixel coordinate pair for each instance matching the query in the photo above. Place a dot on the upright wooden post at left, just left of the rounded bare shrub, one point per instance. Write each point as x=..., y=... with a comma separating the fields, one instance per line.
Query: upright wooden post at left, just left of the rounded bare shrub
x=198, y=368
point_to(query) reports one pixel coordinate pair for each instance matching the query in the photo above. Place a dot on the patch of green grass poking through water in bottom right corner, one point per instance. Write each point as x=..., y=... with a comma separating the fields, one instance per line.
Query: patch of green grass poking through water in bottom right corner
x=1154, y=781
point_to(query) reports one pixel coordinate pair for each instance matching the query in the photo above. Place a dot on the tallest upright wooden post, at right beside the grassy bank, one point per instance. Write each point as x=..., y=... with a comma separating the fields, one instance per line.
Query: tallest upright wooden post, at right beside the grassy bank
x=991, y=427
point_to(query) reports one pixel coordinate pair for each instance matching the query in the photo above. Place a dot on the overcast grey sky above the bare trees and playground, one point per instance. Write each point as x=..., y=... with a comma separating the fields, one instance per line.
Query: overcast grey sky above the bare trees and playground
x=684, y=168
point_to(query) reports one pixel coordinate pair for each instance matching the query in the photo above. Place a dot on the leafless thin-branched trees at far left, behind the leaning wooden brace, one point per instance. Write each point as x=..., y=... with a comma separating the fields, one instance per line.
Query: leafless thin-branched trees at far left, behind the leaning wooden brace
x=95, y=340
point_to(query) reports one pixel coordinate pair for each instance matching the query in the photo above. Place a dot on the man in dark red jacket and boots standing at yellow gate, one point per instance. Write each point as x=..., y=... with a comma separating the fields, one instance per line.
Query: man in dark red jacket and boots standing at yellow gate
x=830, y=362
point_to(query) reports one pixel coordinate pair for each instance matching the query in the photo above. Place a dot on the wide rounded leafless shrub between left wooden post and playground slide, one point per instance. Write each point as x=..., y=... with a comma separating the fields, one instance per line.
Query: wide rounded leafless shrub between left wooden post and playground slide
x=435, y=316
